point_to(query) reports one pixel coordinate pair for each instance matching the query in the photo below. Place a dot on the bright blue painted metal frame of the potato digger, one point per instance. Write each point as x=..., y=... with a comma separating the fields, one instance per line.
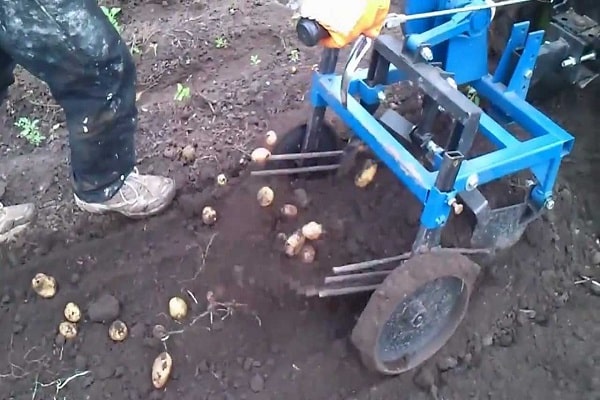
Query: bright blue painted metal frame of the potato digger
x=460, y=45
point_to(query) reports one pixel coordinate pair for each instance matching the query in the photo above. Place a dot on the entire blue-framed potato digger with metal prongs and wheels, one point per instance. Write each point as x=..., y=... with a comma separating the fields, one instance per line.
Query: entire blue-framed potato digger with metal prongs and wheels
x=441, y=47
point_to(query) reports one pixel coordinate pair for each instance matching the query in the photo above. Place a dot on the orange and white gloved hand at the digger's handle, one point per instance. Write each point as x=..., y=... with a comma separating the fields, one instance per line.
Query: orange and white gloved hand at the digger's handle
x=346, y=20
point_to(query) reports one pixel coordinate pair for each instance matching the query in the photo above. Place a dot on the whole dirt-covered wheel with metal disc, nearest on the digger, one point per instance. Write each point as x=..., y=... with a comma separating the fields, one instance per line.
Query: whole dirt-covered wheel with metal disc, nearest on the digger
x=414, y=312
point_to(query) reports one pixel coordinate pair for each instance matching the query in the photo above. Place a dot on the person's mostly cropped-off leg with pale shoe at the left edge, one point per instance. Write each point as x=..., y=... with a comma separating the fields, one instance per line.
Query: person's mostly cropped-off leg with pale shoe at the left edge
x=13, y=219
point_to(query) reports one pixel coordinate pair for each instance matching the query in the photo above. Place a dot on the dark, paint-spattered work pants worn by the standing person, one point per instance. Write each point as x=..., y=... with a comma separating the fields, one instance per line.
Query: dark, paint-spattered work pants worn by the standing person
x=73, y=48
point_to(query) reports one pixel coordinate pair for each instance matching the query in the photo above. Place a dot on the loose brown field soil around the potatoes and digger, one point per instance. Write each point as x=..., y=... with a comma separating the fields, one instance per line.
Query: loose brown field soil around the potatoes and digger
x=530, y=332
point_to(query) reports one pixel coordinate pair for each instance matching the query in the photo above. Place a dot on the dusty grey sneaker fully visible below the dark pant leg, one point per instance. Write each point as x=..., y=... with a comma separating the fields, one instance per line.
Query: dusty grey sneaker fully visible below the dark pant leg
x=140, y=196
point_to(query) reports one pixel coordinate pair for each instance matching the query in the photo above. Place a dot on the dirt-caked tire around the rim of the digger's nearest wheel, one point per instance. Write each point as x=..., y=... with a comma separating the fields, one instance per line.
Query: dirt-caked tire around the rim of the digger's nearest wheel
x=402, y=282
